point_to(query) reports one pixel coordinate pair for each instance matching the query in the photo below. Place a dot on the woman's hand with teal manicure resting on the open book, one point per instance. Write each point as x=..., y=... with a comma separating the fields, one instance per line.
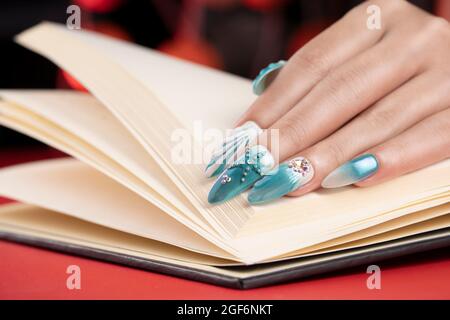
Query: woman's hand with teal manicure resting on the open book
x=382, y=96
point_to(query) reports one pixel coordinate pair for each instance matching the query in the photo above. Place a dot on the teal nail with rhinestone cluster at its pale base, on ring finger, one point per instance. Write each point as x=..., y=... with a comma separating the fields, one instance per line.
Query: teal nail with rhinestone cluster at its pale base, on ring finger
x=289, y=176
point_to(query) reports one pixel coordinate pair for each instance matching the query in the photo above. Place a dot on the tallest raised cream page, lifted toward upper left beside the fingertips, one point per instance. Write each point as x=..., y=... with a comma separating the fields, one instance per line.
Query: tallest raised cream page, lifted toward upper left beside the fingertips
x=115, y=84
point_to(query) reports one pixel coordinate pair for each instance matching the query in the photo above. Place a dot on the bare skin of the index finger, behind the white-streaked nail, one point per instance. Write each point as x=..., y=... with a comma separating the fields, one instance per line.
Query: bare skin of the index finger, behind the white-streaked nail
x=310, y=64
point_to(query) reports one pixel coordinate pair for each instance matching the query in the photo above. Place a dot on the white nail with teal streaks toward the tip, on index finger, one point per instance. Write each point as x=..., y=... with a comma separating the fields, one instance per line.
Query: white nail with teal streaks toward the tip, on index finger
x=231, y=147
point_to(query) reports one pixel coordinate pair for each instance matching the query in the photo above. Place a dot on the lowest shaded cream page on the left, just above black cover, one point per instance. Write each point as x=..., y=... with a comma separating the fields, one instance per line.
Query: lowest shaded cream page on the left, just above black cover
x=30, y=220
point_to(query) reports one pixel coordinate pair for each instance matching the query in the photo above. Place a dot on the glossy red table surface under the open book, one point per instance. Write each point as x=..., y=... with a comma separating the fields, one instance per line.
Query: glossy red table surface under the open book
x=34, y=273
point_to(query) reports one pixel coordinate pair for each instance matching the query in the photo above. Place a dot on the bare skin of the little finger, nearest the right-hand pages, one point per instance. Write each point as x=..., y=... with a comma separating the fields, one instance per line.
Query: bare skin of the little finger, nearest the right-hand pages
x=424, y=144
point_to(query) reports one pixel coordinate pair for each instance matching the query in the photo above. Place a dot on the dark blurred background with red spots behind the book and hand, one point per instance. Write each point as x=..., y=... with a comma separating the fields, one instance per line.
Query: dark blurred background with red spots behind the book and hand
x=238, y=36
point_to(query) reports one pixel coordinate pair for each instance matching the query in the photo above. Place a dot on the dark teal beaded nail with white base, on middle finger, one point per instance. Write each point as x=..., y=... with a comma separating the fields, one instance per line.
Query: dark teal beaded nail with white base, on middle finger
x=255, y=163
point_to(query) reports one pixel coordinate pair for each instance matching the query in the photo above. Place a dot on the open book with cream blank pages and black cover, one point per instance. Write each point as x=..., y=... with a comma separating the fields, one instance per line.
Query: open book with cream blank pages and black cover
x=122, y=198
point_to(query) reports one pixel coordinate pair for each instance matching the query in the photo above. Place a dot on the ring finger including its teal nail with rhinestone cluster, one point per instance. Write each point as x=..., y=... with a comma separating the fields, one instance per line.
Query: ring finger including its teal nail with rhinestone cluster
x=386, y=119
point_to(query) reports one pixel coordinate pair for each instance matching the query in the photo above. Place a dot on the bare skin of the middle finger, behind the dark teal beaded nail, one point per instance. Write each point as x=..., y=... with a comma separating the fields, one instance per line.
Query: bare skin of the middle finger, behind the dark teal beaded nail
x=344, y=93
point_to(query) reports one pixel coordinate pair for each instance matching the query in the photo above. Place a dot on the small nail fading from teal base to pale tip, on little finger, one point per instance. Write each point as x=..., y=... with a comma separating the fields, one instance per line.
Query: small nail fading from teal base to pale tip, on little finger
x=352, y=171
